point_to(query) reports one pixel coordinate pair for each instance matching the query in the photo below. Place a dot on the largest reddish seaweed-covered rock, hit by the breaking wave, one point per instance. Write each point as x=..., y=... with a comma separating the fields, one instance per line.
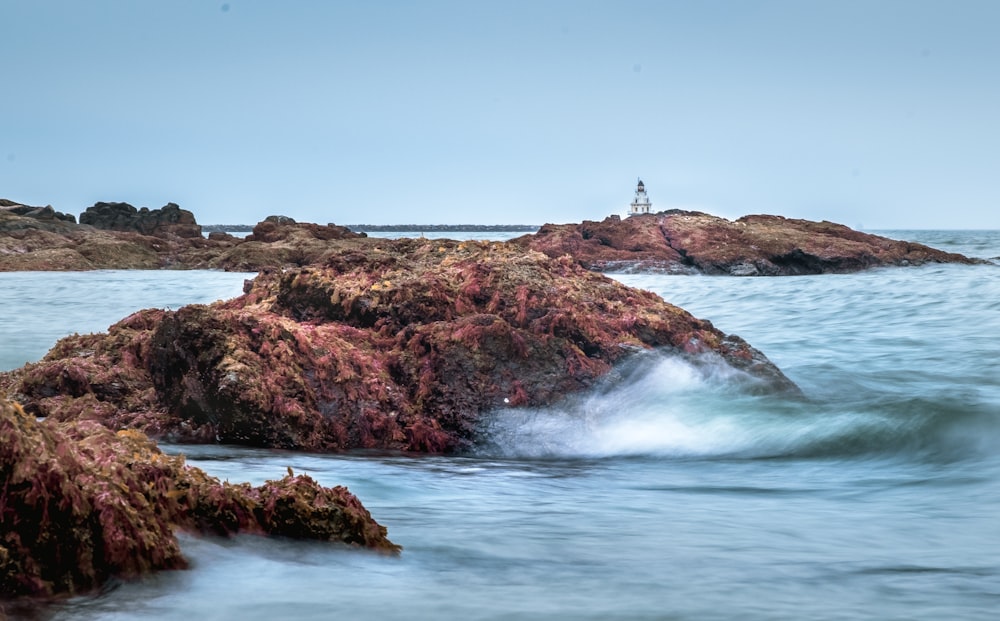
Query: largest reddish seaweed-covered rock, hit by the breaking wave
x=388, y=344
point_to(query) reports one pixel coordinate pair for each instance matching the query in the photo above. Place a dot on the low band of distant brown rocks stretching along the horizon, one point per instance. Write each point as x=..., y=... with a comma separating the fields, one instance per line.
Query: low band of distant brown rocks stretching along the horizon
x=119, y=236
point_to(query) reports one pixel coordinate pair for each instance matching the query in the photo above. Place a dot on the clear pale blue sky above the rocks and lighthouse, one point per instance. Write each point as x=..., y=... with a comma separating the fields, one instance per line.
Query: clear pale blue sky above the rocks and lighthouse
x=881, y=113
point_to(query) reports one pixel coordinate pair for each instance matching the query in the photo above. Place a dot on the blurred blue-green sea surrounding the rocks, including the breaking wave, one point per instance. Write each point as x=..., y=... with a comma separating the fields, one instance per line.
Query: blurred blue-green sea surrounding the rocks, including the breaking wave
x=675, y=494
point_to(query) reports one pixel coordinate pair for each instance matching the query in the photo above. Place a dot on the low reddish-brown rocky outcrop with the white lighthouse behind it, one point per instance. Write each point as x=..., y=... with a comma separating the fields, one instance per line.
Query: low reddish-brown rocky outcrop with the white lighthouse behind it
x=692, y=242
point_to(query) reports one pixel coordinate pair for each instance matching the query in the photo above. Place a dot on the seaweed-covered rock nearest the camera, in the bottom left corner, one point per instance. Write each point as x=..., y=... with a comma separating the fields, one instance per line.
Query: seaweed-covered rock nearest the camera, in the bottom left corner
x=80, y=504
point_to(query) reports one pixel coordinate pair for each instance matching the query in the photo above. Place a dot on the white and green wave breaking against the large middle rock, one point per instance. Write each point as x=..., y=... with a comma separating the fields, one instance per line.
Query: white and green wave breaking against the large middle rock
x=681, y=408
